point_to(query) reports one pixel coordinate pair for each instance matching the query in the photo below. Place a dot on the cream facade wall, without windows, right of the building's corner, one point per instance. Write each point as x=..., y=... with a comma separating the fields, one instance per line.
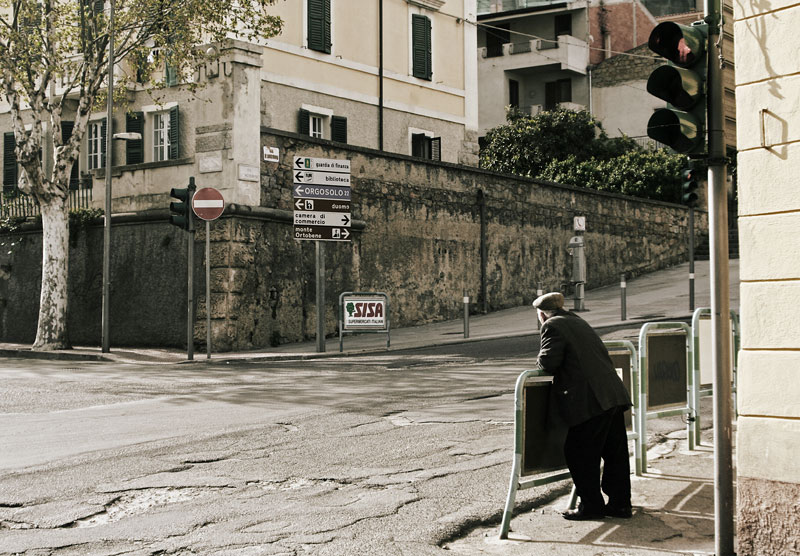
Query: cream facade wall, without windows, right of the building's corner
x=346, y=82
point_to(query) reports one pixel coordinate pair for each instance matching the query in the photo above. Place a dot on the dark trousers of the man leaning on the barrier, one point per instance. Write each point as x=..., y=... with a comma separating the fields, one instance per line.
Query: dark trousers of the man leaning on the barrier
x=603, y=437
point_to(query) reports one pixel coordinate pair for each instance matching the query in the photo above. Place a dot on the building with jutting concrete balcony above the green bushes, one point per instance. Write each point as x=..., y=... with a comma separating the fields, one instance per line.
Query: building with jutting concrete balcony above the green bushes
x=536, y=54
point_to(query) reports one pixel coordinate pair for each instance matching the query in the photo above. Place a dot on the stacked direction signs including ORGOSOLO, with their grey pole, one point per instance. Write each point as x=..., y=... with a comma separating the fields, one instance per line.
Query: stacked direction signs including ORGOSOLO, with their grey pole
x=321, y=191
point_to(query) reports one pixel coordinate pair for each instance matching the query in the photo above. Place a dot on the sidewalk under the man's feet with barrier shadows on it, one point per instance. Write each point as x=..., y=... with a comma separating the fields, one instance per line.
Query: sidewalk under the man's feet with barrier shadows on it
x=673, y=514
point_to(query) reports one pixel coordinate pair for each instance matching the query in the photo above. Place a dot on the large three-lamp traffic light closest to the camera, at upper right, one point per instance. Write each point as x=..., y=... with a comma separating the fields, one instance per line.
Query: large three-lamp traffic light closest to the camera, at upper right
x=682, y=84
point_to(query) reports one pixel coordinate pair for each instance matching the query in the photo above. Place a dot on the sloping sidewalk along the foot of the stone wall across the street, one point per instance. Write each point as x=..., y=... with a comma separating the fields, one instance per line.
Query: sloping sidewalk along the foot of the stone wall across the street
x=660, y=295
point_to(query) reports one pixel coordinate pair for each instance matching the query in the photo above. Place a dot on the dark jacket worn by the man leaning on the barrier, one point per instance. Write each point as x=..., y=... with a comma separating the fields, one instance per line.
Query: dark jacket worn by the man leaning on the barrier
x=585, y=383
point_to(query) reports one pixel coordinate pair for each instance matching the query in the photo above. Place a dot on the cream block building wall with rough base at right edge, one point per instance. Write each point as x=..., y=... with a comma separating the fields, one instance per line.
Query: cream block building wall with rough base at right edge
x=768, y=121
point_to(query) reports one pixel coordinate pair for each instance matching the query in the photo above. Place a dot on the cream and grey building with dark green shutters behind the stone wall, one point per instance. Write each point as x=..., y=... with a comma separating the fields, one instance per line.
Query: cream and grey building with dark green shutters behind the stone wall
x=393, y=75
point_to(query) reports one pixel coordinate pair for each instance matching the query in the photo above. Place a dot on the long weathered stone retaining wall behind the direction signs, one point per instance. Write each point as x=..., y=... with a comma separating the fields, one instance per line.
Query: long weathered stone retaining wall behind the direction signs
x=417, y=236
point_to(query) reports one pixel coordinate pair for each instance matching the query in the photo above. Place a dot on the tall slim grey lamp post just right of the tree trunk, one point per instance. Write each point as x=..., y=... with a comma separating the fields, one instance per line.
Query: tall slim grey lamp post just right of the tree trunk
x=104, y=324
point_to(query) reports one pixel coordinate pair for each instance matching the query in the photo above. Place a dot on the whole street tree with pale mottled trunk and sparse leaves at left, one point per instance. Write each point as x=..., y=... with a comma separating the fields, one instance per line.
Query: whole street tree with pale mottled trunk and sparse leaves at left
x=52, y=51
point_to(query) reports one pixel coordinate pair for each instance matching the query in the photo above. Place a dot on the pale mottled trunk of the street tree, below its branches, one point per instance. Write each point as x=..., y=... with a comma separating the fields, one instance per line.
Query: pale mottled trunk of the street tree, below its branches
x=51, y=332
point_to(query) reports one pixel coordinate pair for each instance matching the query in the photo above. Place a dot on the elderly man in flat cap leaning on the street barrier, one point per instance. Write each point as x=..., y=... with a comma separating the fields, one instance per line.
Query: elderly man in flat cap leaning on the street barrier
x=592, y=401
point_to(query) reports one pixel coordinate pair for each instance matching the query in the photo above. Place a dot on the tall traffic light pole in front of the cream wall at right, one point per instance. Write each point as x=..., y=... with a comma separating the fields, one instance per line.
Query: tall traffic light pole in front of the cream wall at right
x=720, y=294
